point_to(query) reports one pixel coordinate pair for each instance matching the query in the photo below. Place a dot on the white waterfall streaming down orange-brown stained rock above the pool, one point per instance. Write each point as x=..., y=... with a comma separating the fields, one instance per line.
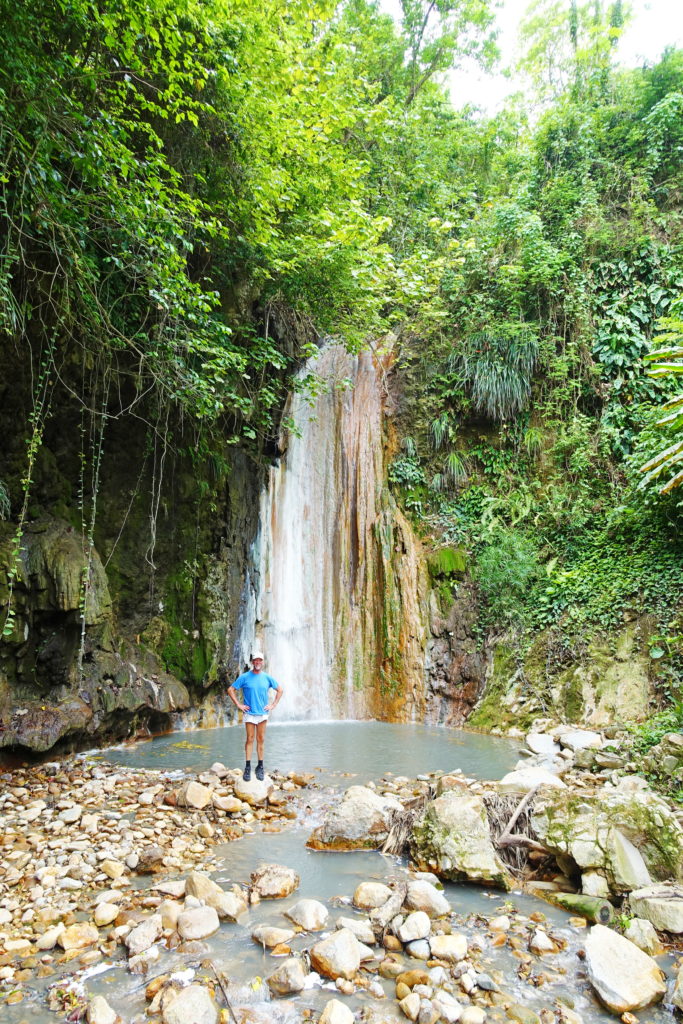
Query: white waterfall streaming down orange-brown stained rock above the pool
x=338, y=615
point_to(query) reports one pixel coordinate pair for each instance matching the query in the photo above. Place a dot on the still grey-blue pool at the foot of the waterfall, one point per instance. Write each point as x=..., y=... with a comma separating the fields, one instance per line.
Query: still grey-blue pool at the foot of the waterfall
x=365, y=750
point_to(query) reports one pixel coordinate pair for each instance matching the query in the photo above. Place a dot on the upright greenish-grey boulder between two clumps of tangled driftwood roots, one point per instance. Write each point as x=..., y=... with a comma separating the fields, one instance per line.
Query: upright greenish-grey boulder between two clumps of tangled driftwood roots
x=453, y=840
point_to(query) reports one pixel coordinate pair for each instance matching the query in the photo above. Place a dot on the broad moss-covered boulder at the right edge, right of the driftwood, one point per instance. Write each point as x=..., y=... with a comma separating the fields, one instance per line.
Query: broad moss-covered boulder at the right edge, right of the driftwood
x=627, y=835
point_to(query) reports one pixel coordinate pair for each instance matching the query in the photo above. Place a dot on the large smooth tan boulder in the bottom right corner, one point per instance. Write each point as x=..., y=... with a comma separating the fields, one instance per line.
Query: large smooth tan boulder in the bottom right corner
x=624, y=977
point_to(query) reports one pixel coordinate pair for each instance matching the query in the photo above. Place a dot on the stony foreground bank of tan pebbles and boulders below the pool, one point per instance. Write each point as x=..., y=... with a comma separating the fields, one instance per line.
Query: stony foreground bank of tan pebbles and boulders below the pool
x=107, y=865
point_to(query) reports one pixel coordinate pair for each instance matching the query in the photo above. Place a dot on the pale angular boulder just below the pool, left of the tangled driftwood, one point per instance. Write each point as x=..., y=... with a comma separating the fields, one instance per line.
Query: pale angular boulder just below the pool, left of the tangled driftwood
x=360, y=822
